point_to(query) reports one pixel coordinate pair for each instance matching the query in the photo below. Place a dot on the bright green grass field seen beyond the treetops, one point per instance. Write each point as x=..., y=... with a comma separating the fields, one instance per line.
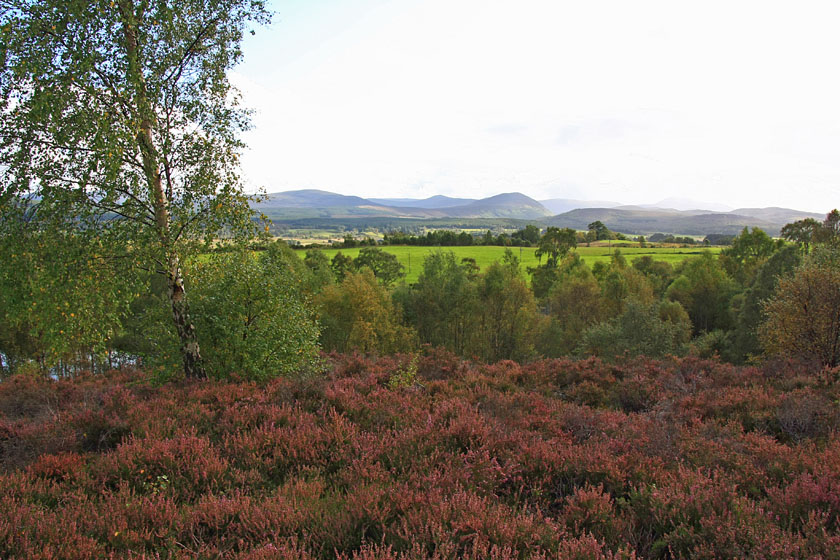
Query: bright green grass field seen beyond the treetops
x=411, y=257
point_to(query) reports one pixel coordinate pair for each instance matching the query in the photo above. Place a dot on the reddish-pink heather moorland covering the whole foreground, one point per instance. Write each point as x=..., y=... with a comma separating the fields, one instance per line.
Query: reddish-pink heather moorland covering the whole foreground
x=429, y=457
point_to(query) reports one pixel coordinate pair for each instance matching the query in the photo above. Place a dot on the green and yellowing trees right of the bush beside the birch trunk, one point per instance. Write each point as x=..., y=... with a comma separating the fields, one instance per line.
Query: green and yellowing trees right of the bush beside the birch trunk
x=739, y=305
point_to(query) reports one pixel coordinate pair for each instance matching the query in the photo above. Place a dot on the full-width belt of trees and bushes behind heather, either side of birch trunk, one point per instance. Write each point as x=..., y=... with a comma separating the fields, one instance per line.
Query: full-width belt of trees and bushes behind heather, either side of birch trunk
x=267, y=313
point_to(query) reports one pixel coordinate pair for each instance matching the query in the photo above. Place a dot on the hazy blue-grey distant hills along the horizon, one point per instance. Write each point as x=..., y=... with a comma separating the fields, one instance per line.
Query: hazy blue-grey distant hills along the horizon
x=673, y=215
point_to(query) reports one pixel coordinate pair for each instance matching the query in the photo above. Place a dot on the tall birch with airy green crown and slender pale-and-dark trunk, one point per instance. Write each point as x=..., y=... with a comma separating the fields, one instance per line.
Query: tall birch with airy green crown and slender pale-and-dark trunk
x=117, y=118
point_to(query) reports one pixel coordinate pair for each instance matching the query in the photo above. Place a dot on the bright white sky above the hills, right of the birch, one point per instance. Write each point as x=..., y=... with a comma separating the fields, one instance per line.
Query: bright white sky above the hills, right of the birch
x=733, y=102
